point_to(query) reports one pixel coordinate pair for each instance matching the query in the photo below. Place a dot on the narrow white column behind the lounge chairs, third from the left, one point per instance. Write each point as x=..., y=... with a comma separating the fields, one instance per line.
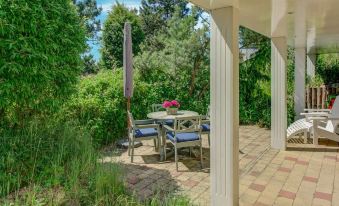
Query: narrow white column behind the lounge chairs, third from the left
x=299, y=81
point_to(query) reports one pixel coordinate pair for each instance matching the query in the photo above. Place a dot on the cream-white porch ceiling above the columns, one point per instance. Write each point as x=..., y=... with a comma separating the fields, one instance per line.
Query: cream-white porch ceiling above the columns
x=313, y=24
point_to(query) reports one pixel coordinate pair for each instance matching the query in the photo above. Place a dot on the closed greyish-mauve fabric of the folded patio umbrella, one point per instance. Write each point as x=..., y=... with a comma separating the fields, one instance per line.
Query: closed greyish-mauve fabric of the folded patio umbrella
x=128, y=61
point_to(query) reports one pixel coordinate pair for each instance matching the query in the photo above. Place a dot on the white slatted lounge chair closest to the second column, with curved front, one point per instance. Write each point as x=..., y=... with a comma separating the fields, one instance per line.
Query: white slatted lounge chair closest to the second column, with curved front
x=304, y=127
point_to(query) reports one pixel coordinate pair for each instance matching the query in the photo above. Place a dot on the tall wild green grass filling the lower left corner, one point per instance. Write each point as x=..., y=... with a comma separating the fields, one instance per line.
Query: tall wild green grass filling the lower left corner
x=55, y=163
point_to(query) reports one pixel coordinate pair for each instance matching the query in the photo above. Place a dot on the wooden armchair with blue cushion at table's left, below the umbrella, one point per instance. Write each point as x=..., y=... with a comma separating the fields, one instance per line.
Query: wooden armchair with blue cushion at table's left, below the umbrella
x=142, y=130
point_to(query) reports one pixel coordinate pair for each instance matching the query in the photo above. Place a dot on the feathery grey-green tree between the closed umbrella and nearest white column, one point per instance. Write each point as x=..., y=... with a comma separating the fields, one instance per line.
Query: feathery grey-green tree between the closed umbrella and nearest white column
x=180, y=69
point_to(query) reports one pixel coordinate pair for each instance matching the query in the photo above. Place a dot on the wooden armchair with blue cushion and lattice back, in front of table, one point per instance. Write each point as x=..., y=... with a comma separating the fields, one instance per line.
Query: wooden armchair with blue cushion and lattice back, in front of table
x=185, y=133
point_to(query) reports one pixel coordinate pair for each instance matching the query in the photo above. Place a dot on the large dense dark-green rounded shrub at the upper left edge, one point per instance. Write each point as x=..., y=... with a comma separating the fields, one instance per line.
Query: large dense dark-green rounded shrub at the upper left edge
x=41, y=43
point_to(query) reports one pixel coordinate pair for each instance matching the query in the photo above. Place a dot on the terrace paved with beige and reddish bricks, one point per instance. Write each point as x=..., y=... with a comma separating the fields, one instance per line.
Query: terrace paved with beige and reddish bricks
x=267, y=176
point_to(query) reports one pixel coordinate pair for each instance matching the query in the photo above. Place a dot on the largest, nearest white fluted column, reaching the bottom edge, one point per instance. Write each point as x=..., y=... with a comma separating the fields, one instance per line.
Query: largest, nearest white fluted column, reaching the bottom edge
x=224, y=107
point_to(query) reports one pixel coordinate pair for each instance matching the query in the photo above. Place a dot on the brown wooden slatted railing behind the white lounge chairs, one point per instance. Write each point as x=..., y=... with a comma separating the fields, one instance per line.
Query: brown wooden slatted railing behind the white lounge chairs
x=317, y=97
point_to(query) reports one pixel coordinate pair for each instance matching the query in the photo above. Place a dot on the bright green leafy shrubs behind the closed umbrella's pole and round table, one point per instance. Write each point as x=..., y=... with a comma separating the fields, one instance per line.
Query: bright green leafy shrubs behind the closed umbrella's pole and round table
x=100, y=106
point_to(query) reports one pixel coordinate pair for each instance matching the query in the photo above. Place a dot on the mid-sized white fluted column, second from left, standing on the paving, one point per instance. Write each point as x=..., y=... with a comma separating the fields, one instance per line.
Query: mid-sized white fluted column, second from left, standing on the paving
x=278, y=92
